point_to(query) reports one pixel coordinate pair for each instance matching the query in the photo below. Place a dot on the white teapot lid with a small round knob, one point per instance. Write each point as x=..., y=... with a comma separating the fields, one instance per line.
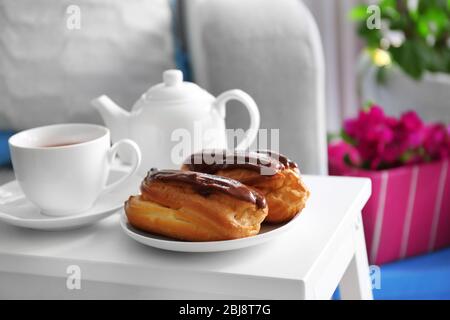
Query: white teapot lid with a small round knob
x=174, y=89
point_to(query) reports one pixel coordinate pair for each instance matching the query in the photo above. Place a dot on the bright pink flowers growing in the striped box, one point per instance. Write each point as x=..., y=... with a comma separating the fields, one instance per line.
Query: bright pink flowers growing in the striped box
x=382, y=141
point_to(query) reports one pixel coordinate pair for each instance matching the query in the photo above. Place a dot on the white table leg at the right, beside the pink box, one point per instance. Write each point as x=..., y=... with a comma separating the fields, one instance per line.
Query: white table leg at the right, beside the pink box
x=356, y=284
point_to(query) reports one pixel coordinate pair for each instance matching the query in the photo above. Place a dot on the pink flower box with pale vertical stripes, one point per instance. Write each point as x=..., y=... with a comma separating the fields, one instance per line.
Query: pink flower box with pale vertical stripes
x=409, y=211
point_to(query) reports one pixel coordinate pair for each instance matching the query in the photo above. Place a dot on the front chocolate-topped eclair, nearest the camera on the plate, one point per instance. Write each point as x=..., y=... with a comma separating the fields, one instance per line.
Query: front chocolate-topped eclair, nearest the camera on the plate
x=196, y=206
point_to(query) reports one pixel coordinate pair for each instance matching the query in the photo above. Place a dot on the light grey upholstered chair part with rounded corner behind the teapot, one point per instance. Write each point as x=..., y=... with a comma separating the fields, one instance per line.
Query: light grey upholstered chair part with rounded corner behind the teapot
x=271, y=50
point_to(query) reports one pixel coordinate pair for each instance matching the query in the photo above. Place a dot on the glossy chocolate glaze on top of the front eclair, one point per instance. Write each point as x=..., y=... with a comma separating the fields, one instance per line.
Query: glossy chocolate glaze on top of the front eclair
x=206, y=184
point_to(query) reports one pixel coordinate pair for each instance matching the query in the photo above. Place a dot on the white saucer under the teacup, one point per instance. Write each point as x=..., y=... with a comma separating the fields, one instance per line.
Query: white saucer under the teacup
x=15, y=209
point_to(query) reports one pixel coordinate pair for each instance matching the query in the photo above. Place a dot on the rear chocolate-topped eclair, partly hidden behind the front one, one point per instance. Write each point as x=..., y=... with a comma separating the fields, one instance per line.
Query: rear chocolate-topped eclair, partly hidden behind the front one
x=271, y=173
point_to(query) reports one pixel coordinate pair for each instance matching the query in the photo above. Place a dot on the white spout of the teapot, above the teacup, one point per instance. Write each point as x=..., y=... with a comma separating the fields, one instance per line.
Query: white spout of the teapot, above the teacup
x=115, y=118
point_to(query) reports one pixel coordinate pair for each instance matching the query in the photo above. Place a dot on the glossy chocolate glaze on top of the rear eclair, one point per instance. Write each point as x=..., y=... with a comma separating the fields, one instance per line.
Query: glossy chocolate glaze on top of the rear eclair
x=266, y=162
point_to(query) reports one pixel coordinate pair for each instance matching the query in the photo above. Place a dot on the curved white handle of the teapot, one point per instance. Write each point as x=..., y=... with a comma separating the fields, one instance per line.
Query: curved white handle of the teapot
x=247, y=101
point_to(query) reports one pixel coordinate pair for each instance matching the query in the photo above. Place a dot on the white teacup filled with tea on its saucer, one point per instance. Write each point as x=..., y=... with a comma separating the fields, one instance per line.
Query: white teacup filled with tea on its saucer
x=64, y=168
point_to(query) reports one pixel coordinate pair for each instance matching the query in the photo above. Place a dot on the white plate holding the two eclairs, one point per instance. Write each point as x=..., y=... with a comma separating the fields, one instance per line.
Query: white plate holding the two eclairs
x=268, y=232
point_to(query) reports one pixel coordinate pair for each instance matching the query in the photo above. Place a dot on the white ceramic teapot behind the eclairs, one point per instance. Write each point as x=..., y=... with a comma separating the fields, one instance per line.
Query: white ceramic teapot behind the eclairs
x=174, y=119
